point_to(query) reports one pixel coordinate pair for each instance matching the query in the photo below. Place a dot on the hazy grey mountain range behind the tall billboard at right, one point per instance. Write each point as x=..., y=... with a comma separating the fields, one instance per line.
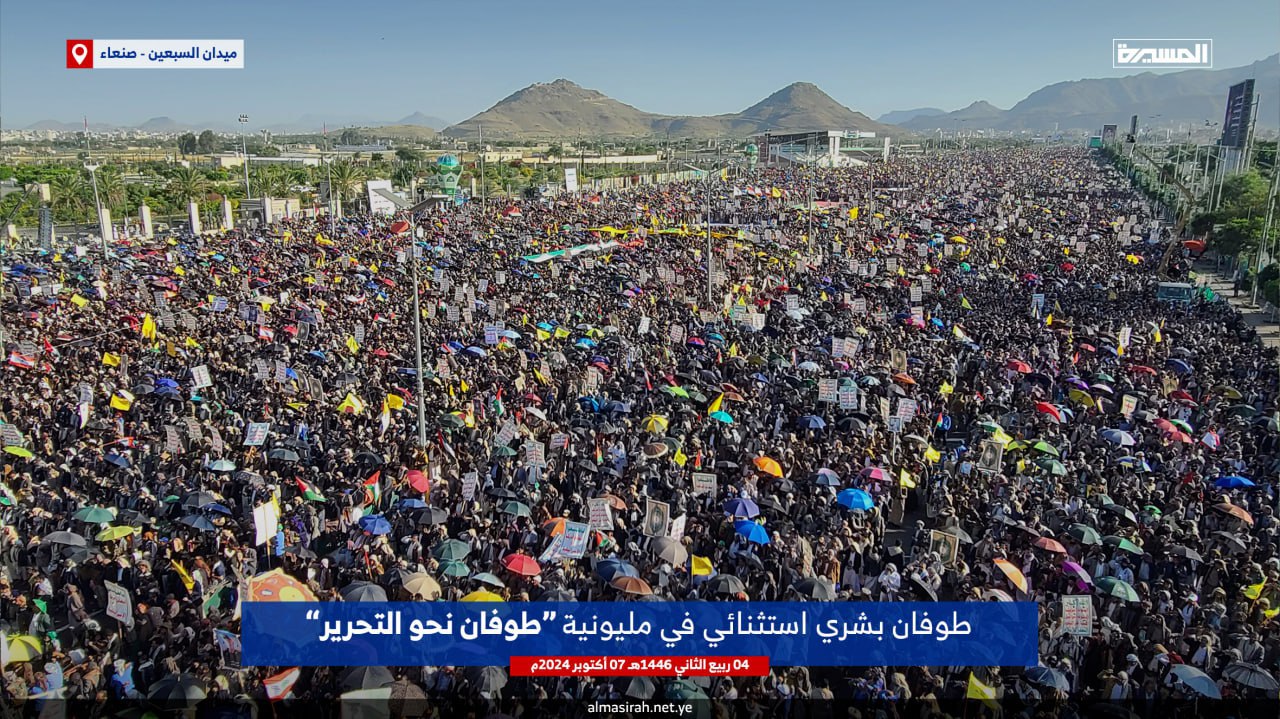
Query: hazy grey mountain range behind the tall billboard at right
x=1165, y=100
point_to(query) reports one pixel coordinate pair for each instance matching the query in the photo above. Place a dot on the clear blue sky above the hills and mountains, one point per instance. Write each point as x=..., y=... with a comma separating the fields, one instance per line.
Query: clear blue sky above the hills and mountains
x=390, y=58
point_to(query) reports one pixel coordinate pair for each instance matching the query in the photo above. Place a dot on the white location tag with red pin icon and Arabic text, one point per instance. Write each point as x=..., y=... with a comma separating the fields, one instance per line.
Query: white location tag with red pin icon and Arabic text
x=156, y=54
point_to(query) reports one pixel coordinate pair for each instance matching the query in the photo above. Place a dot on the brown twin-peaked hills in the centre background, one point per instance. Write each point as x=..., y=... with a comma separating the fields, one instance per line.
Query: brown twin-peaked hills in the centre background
x=563, y=109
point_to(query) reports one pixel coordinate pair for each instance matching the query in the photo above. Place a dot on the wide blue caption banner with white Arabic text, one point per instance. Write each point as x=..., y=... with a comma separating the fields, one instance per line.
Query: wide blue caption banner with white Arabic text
x=789, y=634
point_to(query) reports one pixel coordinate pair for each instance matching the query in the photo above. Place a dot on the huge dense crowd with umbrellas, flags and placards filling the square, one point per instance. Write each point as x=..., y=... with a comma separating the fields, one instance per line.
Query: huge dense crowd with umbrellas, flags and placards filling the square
x=949, y=378
